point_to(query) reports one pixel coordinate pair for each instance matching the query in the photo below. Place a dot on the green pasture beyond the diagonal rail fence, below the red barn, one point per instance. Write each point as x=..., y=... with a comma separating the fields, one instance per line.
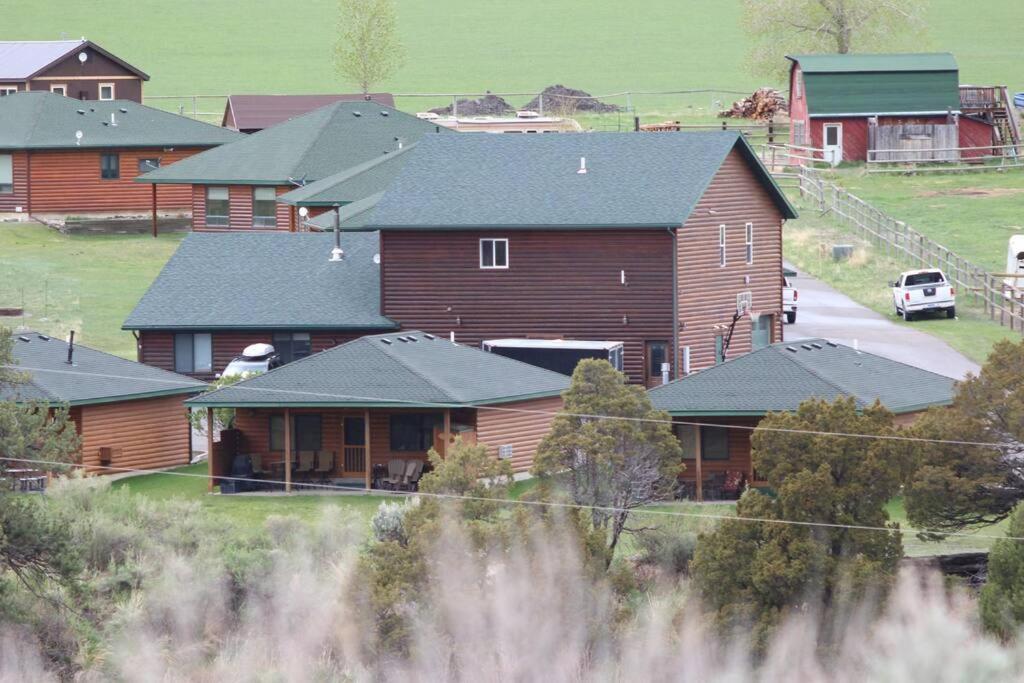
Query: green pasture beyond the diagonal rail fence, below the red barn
x=974, y=215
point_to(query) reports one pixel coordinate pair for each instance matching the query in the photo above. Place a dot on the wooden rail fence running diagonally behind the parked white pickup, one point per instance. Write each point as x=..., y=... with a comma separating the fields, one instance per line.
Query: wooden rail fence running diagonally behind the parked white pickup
x=1003, y=304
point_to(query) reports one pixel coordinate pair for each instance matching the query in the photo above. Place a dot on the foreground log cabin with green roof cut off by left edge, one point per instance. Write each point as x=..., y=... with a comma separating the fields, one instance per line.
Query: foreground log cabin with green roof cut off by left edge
x=129, y=415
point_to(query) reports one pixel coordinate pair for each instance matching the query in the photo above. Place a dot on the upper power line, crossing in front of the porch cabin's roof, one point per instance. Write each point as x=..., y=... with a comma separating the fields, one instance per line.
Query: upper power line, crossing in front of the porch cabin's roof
x=583, y=416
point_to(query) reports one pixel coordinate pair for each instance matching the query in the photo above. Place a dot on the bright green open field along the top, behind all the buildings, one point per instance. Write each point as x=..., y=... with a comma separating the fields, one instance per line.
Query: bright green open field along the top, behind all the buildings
x=218, y=47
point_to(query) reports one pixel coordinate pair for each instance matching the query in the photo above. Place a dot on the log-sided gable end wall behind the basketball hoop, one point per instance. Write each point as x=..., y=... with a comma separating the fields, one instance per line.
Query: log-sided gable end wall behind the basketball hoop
x=707, y=291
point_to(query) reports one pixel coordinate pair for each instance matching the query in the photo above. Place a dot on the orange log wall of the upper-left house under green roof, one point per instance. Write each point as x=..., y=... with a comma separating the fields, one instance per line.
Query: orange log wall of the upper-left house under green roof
x=69, y=181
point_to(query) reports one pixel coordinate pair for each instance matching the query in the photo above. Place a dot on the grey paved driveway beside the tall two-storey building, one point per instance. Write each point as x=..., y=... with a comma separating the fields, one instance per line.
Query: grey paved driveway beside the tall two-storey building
x=825, y=313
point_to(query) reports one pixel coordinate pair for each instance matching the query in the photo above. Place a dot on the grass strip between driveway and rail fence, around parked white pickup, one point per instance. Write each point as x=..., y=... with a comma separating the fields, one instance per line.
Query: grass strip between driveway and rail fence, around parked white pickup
x=807, y=244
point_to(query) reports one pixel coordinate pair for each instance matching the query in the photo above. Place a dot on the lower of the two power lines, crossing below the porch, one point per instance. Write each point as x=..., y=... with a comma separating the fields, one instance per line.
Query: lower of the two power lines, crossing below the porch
x=507, y=501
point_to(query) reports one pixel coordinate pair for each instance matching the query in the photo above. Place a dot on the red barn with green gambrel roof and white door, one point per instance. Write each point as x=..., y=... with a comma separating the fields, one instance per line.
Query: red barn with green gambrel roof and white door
x=850, y=105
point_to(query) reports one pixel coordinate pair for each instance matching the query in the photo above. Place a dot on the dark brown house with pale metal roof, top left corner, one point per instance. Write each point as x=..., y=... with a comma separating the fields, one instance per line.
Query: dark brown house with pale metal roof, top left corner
x=76, y=69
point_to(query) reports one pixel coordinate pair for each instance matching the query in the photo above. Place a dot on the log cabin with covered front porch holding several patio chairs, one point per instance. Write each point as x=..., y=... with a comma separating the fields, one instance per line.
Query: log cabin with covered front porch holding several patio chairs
x=336, y=416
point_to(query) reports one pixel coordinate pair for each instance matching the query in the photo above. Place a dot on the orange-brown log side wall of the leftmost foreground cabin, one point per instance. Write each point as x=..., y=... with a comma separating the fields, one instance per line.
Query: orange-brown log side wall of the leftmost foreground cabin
x=147, y=434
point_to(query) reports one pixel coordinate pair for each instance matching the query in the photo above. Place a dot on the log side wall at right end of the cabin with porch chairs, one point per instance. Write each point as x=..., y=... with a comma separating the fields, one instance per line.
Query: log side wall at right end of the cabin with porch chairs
x=502, y=425
